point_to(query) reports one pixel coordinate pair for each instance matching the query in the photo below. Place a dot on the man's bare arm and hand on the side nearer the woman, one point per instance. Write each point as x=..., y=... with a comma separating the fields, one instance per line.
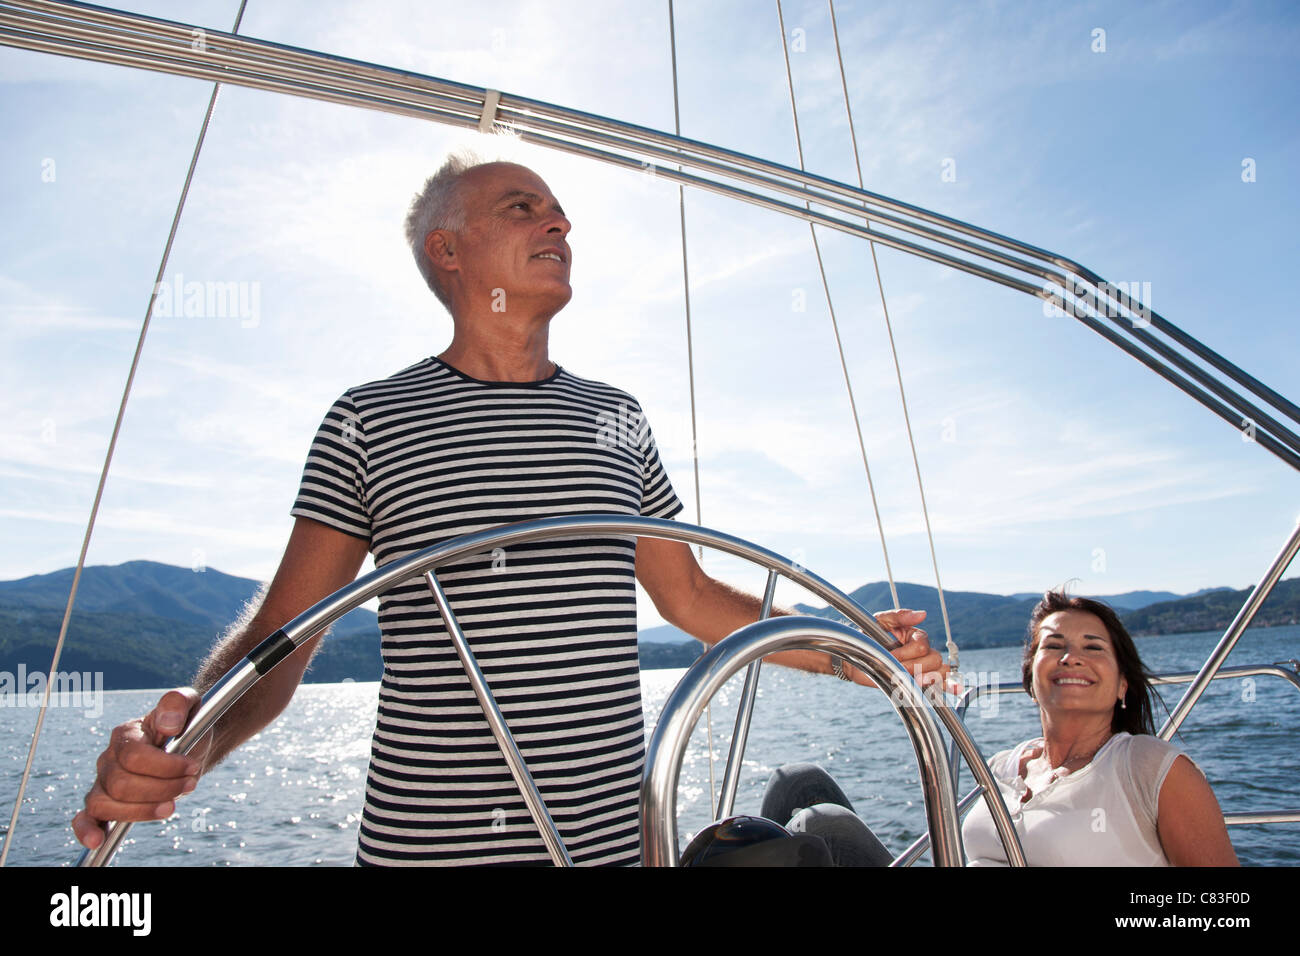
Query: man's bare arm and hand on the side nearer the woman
x=709, y=609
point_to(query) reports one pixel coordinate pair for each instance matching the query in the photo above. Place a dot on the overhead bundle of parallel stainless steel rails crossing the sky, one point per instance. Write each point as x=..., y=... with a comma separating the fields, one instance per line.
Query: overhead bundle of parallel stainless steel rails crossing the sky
x=106, y=36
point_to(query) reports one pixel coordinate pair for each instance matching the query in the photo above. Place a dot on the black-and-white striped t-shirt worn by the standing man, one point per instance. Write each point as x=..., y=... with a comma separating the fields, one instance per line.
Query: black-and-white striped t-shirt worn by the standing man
x=431, y=455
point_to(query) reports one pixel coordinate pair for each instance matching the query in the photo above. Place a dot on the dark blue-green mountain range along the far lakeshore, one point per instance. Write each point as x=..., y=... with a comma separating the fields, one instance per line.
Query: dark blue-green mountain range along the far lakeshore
x=150, y=625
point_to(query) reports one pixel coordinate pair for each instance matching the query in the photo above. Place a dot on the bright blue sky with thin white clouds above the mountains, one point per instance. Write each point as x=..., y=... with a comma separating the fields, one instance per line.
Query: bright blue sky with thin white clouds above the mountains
x=1155, y=144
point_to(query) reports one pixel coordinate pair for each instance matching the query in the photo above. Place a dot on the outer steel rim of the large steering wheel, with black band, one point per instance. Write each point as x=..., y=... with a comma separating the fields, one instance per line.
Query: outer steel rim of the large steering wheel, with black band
x=223, y=695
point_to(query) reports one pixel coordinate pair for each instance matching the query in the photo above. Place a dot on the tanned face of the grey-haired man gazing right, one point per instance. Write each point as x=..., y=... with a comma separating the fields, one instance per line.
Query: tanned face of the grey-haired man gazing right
x=514, y=246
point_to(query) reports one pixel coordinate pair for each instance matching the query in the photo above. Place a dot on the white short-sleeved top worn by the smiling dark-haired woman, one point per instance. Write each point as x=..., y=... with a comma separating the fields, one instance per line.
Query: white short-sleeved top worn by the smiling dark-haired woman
x=1103, y=815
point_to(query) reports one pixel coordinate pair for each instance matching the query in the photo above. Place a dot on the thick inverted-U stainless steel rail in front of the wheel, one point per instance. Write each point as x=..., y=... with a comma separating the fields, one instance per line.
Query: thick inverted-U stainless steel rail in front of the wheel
x=752, y=643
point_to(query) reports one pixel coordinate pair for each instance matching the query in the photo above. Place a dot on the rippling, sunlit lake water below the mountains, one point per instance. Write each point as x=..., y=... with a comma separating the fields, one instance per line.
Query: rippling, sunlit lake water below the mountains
x=293, y=795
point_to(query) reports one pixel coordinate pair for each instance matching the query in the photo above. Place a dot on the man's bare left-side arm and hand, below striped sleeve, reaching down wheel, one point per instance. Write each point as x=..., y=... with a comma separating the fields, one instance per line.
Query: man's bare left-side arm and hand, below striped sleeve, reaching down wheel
x=136, y=778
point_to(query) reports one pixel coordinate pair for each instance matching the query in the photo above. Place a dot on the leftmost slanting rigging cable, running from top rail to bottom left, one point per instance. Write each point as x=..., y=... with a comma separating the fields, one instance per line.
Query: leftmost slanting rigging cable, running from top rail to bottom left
x=109, y=457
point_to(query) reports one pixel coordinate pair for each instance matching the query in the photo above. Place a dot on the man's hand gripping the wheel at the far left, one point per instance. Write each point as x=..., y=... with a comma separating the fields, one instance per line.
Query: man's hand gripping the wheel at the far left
x=136, y=778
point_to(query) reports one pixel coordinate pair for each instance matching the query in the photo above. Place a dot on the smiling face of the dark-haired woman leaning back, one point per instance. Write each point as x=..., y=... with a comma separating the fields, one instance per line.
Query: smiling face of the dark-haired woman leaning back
x=1076, y=669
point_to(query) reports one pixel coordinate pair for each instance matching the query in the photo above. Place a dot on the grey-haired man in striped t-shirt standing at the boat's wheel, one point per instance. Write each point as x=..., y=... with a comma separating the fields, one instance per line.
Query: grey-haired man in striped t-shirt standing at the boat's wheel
x=488, y=432
